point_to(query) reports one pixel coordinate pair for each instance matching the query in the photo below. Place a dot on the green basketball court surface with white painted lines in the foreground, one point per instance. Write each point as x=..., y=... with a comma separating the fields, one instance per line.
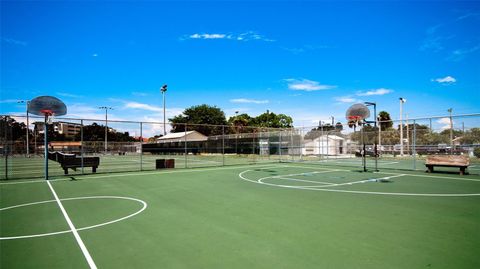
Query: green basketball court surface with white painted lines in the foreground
x=272, y=215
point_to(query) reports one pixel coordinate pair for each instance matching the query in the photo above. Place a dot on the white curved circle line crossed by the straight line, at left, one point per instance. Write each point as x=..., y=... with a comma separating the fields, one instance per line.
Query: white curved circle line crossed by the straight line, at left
x=78, y=229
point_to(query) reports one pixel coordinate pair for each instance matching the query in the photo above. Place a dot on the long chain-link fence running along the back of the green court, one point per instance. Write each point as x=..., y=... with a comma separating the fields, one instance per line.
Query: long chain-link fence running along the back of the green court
x=81, y=146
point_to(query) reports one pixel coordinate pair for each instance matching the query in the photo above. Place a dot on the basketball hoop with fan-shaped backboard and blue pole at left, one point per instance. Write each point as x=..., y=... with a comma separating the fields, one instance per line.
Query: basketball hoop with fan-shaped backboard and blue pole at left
x=47, y=106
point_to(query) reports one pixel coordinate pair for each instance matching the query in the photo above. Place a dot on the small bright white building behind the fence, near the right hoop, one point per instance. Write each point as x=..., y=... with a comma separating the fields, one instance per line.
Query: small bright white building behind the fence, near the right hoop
x=324, y=145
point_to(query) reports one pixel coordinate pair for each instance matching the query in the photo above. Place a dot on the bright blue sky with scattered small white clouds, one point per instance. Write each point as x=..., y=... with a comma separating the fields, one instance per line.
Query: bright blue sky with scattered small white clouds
x=309, y=60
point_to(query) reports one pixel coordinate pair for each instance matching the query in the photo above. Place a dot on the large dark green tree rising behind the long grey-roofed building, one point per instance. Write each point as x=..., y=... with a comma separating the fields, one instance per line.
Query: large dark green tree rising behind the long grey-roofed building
x=201, y=118
